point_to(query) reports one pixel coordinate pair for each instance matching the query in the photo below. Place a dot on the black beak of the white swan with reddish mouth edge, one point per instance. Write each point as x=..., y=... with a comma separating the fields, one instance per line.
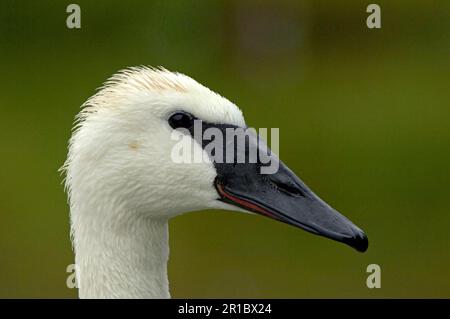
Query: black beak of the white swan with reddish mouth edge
x=280, y=195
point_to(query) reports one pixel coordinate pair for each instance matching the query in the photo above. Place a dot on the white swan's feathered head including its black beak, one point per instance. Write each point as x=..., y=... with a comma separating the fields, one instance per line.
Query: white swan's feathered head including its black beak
x=129, y=150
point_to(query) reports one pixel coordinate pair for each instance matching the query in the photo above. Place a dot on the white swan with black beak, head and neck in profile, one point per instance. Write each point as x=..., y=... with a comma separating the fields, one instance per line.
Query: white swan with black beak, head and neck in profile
x=123, y=186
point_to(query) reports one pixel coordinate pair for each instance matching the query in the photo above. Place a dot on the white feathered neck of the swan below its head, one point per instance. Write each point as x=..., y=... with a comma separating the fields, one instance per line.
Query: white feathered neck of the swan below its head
x=126, y=259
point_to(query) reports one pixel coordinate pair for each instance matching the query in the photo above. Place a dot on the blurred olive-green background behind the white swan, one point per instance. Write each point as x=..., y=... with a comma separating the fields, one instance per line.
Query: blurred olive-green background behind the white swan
x=364, y=118
